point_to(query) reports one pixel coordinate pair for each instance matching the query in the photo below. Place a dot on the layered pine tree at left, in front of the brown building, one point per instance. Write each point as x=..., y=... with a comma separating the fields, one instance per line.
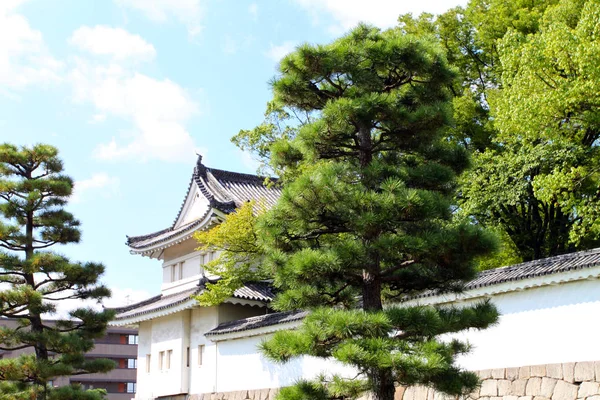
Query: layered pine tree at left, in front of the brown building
x=33, y=193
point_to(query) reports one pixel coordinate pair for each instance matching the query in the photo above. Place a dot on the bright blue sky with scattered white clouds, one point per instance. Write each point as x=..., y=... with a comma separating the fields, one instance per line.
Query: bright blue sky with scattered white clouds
x=130, y=91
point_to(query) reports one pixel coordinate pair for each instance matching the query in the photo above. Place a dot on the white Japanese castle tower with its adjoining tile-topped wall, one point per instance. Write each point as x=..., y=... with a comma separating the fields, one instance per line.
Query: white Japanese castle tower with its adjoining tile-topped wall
x=548, y=307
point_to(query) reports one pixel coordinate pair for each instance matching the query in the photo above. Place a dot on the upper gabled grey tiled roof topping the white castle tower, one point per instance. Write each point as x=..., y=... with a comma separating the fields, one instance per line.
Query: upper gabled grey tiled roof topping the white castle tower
x=224, y=190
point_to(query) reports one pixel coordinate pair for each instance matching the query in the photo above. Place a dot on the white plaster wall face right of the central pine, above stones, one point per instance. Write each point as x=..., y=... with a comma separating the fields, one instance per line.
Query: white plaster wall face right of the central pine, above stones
x=544, y=325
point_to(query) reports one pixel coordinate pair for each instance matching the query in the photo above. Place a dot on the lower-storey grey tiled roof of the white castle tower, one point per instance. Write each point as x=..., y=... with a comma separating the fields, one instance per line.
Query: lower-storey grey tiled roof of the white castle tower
x=251, y=291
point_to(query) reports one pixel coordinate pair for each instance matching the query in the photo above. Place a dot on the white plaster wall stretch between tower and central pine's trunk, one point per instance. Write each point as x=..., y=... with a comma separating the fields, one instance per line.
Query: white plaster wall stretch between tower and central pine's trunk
x=241, y=366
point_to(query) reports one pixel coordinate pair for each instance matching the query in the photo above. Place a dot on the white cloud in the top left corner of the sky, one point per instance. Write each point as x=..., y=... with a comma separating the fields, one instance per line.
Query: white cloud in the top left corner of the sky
x=24, y=58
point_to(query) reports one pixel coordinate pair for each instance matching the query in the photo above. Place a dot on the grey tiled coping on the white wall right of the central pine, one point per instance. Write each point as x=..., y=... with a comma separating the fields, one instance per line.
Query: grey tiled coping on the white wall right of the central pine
x=532, y=269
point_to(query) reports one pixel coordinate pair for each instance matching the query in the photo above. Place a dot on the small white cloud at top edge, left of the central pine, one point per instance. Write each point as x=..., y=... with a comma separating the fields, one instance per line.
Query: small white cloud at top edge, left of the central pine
x=188, y=12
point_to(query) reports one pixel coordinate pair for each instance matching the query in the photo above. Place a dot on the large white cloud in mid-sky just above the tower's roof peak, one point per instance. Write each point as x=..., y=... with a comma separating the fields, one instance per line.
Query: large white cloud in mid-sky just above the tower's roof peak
x=157, y=109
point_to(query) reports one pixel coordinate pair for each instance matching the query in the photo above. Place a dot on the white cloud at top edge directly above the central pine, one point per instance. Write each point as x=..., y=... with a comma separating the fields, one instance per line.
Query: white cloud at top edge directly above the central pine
x=381, y=13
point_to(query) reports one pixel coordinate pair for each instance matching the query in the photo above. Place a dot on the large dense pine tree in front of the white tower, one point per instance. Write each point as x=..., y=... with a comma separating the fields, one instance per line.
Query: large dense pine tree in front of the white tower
x=365, y=215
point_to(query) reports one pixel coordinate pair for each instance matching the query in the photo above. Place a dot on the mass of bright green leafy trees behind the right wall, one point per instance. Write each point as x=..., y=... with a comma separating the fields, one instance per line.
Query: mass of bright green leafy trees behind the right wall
x=517, y=111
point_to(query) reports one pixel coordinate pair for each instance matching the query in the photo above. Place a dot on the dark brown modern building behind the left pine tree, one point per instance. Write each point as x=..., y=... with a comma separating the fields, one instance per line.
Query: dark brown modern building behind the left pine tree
x=120, y=345
